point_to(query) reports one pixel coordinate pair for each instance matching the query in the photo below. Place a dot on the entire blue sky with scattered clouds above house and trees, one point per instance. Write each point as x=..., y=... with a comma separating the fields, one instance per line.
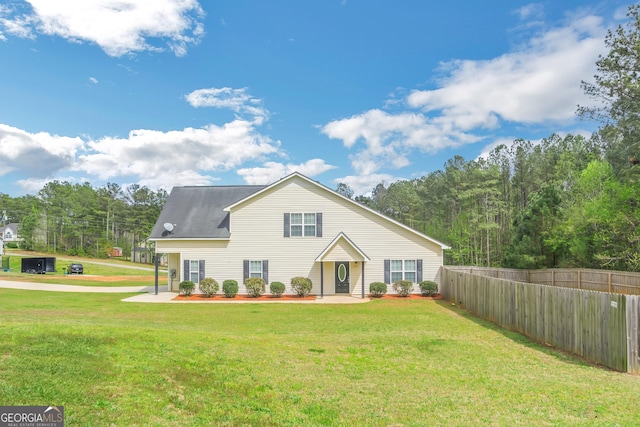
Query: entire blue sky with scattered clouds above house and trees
x=180, y=92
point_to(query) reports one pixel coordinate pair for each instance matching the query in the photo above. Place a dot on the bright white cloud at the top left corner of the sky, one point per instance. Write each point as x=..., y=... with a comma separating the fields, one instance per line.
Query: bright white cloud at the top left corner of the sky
x=119, y=27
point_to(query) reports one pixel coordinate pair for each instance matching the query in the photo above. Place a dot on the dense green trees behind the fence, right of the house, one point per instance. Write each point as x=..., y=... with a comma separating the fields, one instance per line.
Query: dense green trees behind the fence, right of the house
x=559, y=203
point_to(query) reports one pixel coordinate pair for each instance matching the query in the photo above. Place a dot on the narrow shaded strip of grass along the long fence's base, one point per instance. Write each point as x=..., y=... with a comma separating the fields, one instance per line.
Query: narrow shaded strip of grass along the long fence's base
x=517, y=337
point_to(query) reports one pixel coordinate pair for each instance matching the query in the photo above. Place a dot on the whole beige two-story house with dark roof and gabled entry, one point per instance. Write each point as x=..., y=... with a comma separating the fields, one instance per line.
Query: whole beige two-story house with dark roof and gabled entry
x=293, y=227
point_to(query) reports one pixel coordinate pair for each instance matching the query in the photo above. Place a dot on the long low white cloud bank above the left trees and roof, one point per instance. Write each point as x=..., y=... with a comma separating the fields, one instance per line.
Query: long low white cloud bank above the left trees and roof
x=152, y=158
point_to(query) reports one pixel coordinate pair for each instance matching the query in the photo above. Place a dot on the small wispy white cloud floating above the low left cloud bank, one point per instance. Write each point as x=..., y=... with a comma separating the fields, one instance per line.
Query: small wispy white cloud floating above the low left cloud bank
x=237, y=100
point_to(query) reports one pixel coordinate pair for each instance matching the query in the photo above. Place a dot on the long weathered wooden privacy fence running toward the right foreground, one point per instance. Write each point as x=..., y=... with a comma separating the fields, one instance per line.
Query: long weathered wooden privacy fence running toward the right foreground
x=601, y=327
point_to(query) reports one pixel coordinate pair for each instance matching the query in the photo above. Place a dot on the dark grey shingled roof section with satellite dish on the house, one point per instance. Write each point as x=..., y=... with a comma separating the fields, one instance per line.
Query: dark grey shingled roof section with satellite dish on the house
x=197, y=212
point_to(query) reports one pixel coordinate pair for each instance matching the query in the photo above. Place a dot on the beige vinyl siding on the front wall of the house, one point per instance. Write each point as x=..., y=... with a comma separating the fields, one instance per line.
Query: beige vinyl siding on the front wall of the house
x=257, y=233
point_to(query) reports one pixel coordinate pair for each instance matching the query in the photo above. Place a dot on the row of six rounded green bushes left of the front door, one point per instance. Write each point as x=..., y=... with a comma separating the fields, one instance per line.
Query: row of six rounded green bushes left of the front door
x=255, y=286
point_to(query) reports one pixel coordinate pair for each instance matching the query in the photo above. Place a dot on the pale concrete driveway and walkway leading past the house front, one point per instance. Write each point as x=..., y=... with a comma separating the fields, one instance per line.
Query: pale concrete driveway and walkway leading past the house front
x=147, y=294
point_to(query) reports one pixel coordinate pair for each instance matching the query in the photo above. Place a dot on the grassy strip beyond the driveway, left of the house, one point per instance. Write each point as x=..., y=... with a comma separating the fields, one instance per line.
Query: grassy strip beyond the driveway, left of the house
x=96, y=272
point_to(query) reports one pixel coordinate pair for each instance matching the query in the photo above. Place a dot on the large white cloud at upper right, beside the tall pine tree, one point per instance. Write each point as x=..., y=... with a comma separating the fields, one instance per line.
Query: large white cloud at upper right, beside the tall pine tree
x=538, y=84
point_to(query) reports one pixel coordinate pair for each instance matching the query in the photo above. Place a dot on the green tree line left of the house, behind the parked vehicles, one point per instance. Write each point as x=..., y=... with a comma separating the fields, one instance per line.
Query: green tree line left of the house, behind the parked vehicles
x=78, y=219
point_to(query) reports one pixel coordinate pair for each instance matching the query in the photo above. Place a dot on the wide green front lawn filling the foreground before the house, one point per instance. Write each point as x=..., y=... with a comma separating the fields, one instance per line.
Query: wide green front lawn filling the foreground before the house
x=402, y=363
